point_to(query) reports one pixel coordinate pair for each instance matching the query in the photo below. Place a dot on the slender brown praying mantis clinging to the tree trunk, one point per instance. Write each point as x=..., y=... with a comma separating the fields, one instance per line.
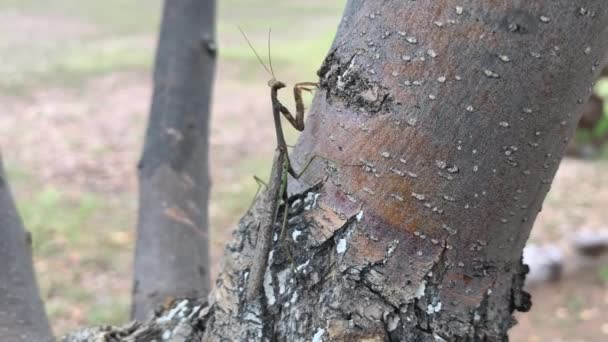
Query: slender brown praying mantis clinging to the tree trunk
x=281, y=170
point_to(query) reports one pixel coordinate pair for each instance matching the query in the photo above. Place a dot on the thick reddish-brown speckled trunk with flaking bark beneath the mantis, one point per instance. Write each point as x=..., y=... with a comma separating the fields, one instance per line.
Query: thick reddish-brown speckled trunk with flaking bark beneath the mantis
x=457, y=114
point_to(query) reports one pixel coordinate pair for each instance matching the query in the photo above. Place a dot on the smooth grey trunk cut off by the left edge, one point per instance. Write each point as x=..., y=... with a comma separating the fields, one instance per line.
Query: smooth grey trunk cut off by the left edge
x=22, y=316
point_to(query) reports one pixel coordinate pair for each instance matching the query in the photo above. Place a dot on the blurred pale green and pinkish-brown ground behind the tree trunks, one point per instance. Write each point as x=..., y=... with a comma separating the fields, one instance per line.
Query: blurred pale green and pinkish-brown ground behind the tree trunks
x=74, y=98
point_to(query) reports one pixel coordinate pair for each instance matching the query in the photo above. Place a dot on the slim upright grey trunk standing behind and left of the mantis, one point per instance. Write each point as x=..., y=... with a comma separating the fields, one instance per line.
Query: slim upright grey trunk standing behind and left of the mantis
x=172, y=243
